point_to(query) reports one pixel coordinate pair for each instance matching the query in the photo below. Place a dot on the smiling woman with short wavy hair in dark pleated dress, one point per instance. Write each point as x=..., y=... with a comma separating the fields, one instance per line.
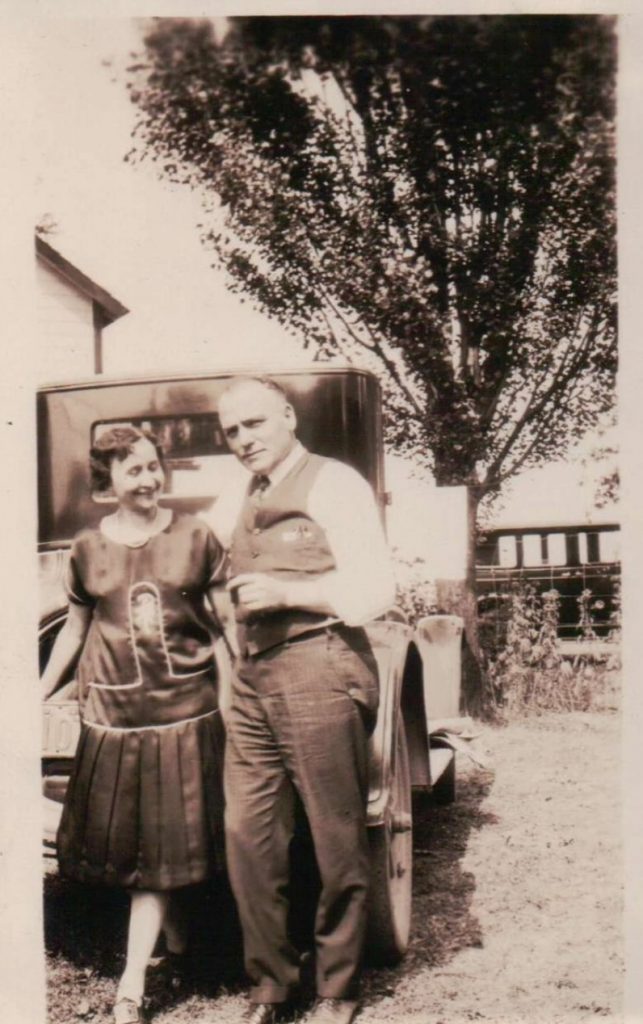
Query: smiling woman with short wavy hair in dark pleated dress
x=144, y=808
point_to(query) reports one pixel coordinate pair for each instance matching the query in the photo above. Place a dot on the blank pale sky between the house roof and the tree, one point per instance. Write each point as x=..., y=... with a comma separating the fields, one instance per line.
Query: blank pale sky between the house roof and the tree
x=134, y=234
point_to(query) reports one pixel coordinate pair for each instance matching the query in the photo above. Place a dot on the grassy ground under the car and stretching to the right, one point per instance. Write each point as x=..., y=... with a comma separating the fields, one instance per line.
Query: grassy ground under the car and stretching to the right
x=518, y=903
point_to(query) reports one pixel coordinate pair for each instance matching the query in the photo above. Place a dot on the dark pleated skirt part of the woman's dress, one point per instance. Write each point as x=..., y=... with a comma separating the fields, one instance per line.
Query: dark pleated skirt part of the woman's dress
x=145, y=807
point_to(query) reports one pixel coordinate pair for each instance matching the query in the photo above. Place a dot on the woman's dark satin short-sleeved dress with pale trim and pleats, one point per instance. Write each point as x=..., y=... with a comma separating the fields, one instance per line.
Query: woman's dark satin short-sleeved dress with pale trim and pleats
x=145, y=804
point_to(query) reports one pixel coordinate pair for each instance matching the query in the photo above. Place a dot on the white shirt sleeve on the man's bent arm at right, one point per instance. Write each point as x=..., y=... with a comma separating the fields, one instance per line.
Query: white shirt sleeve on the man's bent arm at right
x=363, y=585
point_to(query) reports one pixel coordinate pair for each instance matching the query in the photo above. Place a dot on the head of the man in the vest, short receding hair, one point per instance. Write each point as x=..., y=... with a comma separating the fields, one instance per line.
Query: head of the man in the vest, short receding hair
x=259, y=425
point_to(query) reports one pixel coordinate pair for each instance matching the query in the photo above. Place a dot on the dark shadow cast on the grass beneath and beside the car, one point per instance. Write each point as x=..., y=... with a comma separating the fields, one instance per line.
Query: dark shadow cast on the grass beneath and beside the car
x=85, y=927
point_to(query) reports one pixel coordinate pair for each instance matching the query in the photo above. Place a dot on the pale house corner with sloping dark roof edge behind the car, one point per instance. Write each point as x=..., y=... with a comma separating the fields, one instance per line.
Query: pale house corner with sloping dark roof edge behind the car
x=72, y=314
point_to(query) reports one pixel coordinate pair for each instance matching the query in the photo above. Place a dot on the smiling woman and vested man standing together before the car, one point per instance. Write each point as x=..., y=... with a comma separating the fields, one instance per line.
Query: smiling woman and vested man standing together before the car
x=308, y=567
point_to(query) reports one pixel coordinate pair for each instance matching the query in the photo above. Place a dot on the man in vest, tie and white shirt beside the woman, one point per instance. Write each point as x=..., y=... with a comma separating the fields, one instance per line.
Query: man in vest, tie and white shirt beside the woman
x=310, y=566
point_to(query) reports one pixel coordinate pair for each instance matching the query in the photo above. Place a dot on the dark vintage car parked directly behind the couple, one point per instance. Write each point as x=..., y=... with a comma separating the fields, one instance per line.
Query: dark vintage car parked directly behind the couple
x=339, y=415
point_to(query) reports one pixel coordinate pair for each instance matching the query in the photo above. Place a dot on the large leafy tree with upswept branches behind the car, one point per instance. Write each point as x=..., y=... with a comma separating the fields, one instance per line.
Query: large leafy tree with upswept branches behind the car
x=432, y=195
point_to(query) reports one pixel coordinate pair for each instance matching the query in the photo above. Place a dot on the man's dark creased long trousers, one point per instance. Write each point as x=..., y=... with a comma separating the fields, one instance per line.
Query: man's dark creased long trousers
x=299, y=722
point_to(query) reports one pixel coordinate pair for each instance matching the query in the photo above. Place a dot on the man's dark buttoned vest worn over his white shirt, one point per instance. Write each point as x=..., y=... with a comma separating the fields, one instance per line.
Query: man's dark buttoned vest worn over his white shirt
x=276, y=535
